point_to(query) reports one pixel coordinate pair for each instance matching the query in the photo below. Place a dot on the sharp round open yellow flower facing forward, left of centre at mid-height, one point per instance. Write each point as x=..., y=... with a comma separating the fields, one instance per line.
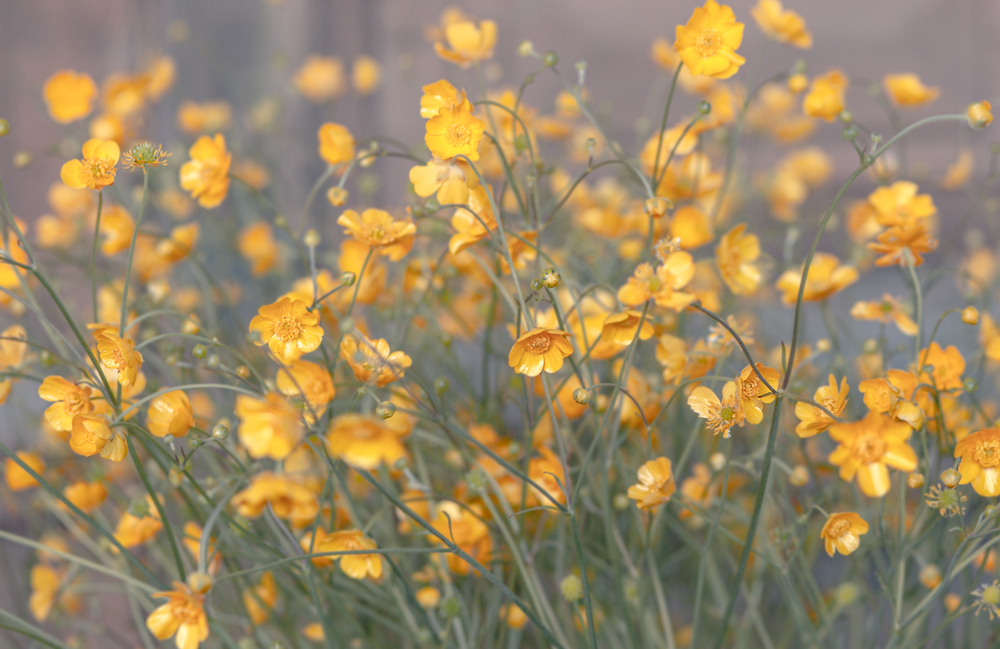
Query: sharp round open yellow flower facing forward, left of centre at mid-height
x=288, y=328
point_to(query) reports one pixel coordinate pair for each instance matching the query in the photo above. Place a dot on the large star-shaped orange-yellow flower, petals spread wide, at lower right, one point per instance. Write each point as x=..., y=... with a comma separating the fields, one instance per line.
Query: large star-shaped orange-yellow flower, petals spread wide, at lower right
x=868, y=447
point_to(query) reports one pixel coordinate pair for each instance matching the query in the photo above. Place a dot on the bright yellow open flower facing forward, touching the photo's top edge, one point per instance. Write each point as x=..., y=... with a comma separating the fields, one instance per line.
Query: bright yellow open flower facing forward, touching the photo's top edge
x=707, y=43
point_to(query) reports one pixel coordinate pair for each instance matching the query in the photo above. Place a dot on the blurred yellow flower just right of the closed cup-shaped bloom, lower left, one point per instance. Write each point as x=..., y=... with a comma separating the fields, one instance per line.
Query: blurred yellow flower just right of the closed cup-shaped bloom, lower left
x=269, y=427
